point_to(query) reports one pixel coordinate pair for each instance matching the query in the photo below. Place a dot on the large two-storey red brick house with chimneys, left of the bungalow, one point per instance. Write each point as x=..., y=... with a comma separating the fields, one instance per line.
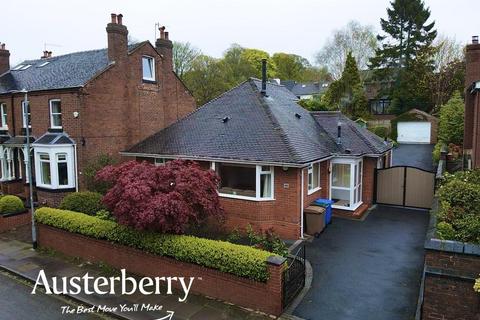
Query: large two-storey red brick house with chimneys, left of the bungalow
x=82, y=105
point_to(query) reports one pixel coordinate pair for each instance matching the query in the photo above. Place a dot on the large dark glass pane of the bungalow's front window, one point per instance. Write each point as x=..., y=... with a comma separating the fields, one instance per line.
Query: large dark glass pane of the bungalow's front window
x=237, y=180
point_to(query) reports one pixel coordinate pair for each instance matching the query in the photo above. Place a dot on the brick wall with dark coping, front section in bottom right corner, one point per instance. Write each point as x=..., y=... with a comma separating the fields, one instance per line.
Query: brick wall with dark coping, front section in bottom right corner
x=448, y=288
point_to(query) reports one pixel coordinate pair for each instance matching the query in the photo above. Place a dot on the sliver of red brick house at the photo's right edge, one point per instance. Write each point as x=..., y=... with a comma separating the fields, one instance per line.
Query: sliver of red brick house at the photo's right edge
x=471, y=138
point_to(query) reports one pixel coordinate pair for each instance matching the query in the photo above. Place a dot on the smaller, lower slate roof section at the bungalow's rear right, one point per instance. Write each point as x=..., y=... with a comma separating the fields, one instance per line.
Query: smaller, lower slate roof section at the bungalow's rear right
x=355, y=140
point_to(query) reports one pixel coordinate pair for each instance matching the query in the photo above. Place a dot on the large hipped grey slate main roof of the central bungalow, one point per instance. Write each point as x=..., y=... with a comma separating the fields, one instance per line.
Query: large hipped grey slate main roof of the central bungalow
x=241, y=124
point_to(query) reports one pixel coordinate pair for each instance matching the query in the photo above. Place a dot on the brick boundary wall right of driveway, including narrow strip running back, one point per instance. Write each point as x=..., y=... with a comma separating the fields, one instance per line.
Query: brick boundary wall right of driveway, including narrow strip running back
x=449, y=275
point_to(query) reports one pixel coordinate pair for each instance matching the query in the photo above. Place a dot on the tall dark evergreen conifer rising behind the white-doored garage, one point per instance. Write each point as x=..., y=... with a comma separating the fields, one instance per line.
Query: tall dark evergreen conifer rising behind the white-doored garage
x=406, y=54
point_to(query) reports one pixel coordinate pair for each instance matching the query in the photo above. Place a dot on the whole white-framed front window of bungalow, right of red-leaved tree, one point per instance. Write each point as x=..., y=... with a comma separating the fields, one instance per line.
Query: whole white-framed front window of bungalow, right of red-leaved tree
x=251, y=182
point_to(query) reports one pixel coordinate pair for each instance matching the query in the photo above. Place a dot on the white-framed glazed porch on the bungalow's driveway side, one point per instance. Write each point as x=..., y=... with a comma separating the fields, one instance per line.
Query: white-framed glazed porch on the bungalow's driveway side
x=352, y=188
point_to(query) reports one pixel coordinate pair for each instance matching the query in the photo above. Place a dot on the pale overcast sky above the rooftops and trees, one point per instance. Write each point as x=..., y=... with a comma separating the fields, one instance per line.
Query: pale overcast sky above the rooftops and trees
x=299, y=26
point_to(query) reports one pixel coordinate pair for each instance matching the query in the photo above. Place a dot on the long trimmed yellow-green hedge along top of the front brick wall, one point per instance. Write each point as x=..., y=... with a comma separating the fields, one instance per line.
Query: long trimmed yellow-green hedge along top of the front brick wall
x=239, y=260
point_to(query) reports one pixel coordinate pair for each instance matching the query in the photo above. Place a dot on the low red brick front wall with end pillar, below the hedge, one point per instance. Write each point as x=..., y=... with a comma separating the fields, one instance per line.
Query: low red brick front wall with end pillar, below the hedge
x=266, y=297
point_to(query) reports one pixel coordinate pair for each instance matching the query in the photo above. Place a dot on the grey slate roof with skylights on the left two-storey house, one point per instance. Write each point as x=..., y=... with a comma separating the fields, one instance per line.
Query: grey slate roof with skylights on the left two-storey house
x=66, y=71
